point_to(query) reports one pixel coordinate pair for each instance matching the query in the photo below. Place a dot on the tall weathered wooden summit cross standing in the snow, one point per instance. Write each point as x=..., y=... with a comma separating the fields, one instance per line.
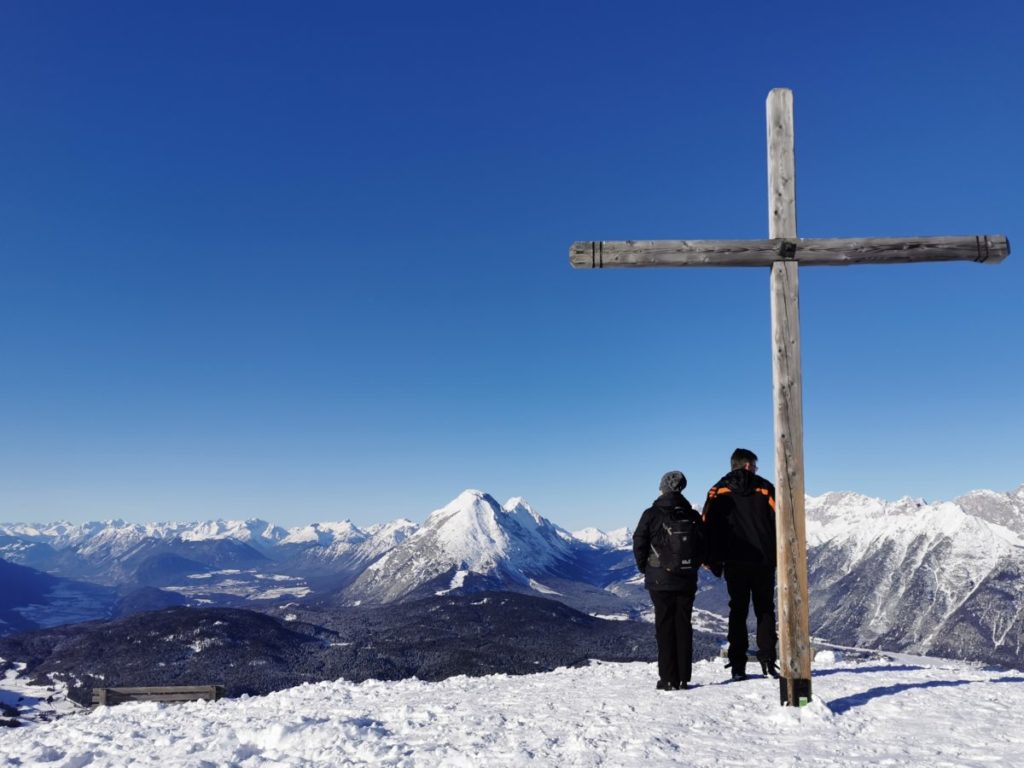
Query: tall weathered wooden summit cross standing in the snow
x=783, y=252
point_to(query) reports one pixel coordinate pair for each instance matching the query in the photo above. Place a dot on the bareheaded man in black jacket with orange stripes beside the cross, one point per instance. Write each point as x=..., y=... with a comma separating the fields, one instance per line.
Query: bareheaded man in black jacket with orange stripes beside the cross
x=740, y=527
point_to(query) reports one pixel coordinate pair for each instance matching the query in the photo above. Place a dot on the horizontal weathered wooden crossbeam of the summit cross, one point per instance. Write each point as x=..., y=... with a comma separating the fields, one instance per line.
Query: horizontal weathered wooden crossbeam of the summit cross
x=986, y=249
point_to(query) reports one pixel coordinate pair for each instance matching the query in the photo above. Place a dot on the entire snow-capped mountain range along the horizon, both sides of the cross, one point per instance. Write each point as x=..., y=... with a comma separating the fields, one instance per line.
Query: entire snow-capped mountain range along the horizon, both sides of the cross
x=942, y=579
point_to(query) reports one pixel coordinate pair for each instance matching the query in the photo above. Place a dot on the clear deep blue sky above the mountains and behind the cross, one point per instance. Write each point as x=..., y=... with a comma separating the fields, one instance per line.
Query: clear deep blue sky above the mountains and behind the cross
x=309, y=262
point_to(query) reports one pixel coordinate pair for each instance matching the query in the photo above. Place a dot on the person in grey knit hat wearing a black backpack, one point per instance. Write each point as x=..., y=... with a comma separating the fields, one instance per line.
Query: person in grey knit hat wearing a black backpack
x=668, y=545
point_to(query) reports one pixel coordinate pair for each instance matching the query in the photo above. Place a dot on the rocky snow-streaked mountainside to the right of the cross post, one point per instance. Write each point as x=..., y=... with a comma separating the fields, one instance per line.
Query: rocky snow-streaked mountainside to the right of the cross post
x=927, y=578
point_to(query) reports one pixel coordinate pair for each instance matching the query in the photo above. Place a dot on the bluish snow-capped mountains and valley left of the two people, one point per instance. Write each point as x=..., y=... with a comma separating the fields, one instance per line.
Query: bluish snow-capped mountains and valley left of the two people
x=474, y=544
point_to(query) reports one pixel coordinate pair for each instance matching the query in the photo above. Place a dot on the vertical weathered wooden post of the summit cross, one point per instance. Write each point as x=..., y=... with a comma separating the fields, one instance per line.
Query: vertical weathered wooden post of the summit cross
x=795, y=646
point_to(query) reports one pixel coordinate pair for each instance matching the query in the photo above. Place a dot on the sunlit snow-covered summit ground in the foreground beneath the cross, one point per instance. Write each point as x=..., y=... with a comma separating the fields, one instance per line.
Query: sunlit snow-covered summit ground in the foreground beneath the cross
x=894, y=712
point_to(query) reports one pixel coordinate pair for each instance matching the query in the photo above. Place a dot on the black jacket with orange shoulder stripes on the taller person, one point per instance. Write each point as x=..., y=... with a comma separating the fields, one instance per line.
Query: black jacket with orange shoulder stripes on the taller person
x=740, y=520
